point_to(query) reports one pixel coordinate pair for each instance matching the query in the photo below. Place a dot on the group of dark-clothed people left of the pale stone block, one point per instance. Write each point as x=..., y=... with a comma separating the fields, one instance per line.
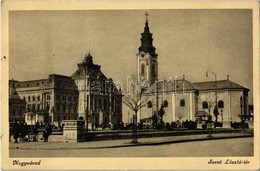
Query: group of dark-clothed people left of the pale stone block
x=20, y=130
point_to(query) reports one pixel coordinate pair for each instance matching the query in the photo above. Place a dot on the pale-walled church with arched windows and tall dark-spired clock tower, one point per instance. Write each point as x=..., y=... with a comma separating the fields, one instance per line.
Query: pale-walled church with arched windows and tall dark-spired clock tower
x=225, y=100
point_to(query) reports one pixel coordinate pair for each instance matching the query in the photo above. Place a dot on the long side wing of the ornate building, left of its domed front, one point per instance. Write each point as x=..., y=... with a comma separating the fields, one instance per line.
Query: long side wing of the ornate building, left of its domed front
x=49, y=100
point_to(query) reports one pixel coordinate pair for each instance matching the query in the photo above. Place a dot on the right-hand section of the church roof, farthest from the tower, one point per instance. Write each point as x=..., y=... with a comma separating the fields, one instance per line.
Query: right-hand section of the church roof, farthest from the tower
x=221, y=84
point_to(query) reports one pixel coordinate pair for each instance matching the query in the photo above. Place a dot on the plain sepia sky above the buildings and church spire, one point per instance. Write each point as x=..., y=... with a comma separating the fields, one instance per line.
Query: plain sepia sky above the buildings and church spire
x=187, y=42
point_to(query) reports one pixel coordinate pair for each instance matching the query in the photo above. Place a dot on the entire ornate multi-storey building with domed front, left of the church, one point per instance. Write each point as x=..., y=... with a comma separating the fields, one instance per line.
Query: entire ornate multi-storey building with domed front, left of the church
x=88, y=92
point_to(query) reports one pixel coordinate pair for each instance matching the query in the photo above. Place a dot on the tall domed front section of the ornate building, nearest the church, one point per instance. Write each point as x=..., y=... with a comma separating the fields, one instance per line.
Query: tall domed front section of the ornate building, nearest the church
x=99, y=98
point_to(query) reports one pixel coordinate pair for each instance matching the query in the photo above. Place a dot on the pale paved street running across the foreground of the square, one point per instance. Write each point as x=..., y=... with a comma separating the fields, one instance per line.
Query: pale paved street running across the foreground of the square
x=208, y=148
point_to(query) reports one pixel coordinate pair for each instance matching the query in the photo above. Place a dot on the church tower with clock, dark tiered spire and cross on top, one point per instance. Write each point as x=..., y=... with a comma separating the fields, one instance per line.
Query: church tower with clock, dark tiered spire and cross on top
x=147, y=57
